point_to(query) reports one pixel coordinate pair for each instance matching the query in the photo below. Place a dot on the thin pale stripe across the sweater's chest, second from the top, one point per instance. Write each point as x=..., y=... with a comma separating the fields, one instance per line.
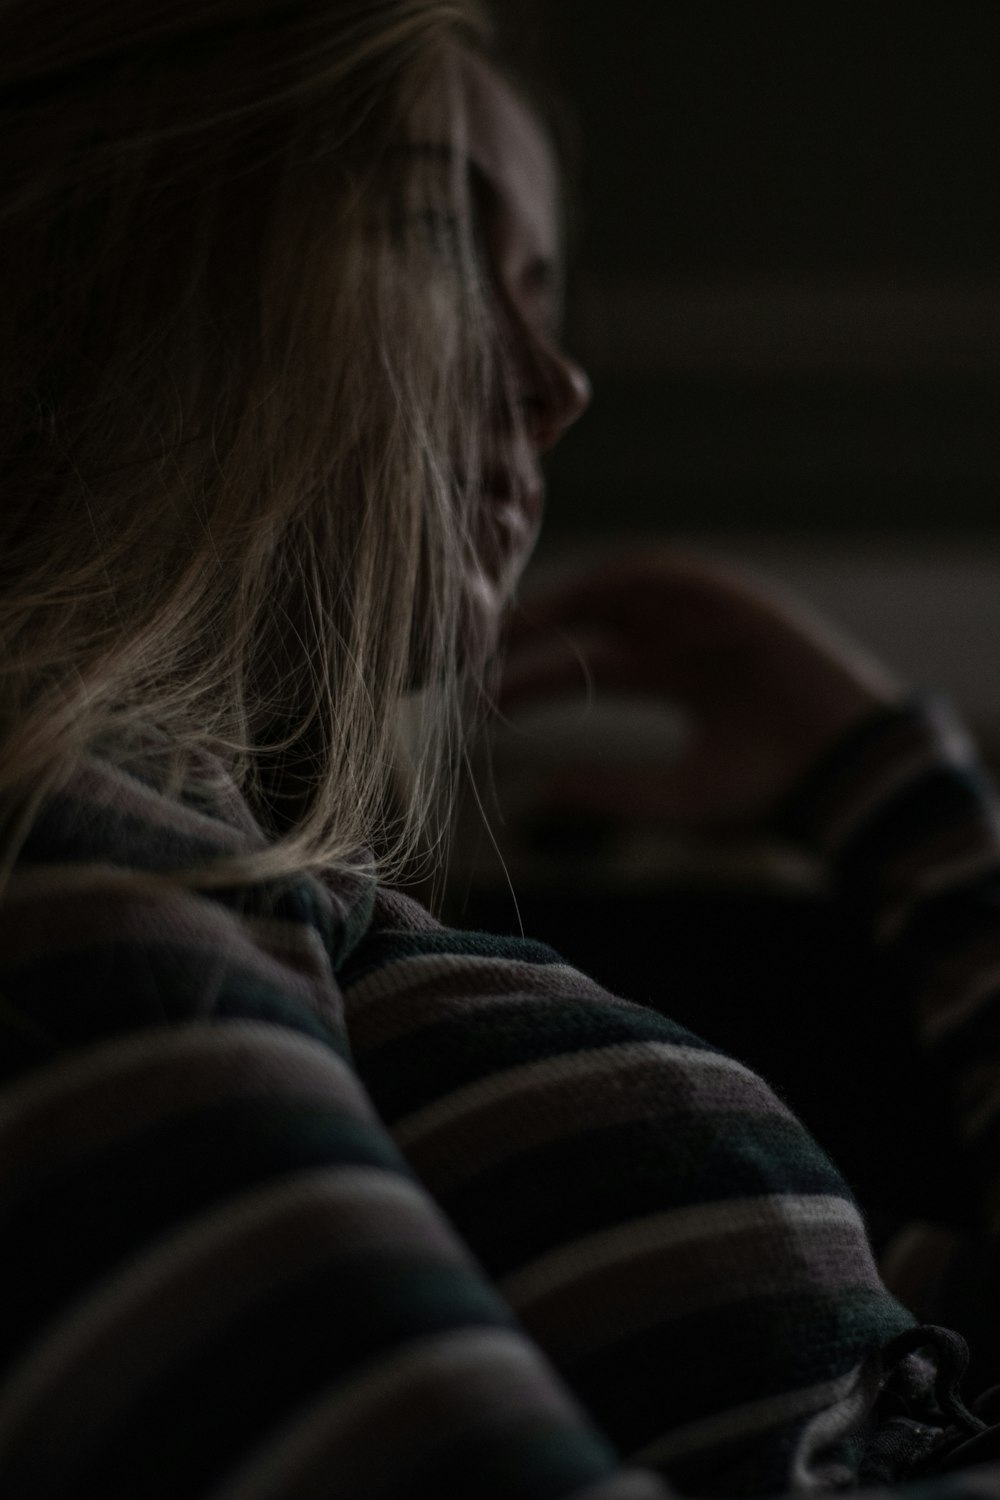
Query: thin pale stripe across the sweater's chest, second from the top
x=563, y=1069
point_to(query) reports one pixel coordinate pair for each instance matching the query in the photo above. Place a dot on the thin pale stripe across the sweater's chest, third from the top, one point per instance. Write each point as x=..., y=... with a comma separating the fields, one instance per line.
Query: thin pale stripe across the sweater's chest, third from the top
x=669, y=1231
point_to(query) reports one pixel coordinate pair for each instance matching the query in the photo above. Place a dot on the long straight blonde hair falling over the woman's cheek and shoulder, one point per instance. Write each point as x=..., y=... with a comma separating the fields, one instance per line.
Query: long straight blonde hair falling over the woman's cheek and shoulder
x=242, y=362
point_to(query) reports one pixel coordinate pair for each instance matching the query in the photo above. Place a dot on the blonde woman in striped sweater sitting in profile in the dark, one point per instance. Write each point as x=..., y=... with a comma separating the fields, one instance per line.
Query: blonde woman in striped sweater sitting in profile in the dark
x=304, y=1193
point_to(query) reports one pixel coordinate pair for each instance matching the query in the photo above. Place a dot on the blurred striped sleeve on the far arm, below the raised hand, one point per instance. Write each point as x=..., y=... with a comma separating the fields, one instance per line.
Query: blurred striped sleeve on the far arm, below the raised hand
x=911, y=826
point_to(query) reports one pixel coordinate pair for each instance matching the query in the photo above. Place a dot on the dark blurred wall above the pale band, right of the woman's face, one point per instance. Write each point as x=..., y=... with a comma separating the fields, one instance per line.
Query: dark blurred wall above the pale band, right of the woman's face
x=786, y=277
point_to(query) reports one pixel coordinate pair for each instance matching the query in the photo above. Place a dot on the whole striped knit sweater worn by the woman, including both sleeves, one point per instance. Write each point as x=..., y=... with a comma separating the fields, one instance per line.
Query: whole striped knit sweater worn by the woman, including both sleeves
x=310, y=1196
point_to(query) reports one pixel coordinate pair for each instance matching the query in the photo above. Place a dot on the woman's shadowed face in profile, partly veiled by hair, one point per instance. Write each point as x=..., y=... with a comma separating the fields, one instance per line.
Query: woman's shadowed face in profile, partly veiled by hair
x=513, y=187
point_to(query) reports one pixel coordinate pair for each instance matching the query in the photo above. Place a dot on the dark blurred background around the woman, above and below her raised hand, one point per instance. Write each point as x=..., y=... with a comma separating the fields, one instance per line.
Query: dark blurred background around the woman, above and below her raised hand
x=786, y=287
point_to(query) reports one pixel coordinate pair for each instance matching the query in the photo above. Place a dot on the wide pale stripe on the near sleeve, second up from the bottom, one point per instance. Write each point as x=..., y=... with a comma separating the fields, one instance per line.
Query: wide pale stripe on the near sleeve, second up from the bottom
x=193, y=1271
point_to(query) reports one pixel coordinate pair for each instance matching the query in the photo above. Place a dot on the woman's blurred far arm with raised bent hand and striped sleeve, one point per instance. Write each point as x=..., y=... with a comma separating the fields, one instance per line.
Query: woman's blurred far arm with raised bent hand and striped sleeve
x=797, y=728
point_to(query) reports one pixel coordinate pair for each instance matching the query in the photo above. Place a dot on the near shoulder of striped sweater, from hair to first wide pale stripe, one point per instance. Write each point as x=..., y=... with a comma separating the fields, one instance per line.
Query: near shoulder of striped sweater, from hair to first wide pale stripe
x=101, y=934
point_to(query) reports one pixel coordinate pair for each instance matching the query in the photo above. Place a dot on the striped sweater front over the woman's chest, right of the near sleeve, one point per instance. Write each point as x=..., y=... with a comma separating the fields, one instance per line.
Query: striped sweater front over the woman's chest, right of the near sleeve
x=659, y=1220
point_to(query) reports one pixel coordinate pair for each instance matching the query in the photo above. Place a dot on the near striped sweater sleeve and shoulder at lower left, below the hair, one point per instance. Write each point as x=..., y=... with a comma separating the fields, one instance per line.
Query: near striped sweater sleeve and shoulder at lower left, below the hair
x=221, y=1277
